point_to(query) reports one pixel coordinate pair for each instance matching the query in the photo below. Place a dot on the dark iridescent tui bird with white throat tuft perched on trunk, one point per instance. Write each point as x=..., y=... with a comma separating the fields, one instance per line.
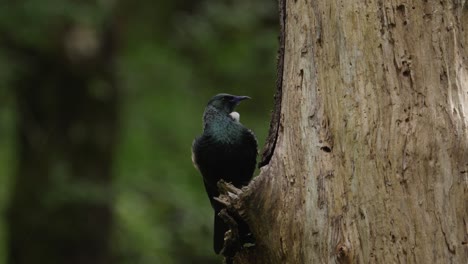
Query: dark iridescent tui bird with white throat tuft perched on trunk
x=226, y=150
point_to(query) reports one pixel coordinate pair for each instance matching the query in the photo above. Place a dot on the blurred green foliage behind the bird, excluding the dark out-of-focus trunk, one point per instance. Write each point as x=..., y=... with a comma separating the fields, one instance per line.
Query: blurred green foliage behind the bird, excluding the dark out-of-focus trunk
x=173, y=56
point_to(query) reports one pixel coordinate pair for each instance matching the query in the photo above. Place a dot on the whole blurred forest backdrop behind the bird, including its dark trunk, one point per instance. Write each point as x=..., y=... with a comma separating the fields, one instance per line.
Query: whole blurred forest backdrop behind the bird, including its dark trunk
x=160, y=62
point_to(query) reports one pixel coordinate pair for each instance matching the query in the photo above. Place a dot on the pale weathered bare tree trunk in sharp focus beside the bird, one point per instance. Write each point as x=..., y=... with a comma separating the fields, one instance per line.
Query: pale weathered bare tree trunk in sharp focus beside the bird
x=368, y=161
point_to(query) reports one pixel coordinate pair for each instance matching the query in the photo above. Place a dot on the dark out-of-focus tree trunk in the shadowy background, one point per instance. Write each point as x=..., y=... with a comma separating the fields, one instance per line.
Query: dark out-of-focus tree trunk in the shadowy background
x=67, y=124
